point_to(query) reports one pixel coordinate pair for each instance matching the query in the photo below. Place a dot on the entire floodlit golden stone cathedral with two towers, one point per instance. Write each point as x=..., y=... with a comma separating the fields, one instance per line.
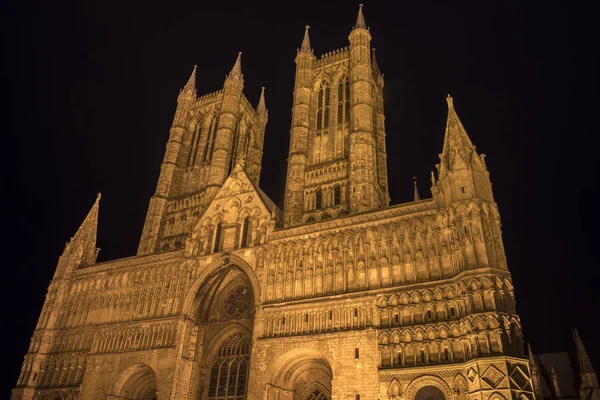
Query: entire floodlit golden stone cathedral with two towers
x=339, y=296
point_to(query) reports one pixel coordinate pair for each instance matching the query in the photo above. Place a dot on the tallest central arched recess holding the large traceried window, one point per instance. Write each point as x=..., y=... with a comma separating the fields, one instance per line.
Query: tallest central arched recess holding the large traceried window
x=223, y=313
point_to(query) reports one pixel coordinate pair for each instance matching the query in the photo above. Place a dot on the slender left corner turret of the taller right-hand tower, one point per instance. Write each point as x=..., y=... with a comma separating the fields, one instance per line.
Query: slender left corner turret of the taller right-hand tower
x=298, y=152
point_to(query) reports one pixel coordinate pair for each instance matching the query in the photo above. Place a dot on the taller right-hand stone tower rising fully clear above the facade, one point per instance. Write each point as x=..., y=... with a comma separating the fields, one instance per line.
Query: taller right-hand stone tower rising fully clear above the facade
x=337, y=155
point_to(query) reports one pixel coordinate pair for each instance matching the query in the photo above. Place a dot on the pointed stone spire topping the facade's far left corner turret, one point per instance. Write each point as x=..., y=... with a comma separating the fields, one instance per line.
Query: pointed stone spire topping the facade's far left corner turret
x=83, y=244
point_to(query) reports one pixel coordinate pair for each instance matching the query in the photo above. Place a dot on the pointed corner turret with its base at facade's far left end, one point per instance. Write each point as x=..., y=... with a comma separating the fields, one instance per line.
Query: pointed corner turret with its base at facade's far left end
x=81, y=250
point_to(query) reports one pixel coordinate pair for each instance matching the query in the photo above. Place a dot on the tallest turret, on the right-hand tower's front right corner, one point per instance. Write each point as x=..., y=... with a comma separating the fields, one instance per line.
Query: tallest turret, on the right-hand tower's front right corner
x=364, y=191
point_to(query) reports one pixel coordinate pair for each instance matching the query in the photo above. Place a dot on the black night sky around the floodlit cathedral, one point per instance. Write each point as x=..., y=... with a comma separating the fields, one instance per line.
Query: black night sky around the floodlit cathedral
x=91, y=90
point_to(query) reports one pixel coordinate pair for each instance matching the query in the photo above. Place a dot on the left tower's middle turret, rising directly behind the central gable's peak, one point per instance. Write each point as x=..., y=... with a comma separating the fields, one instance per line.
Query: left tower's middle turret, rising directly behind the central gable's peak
x=221, y=155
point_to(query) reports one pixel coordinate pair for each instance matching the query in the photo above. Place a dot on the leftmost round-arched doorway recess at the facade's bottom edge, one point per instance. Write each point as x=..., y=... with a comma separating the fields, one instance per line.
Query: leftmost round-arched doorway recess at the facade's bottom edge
x=137, y=383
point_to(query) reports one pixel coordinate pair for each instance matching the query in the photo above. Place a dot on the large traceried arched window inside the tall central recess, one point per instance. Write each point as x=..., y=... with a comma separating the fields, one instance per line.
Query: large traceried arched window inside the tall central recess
x=229, y=372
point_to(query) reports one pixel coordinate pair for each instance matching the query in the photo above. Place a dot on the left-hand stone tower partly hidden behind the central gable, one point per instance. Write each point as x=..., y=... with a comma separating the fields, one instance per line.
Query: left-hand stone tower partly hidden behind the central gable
x=210, y=135
